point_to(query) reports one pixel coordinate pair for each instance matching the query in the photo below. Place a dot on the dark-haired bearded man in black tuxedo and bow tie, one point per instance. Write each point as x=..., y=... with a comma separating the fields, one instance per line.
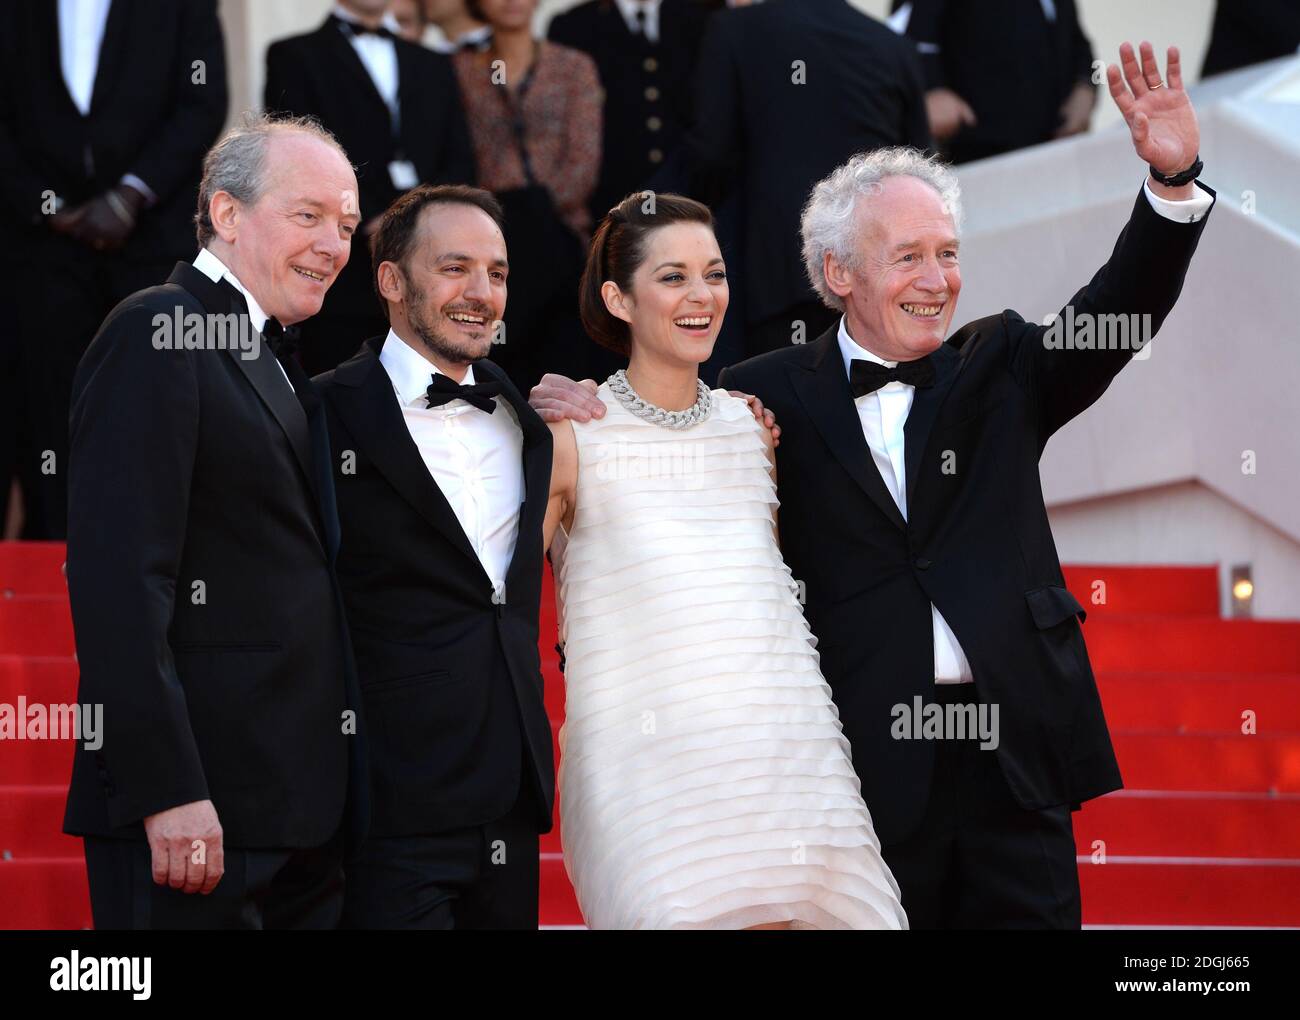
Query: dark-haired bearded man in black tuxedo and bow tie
x=444, y=478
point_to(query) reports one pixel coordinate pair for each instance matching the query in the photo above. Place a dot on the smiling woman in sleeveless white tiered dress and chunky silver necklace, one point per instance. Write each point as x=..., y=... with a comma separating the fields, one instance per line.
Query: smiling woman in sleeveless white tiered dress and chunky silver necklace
x=705, y=779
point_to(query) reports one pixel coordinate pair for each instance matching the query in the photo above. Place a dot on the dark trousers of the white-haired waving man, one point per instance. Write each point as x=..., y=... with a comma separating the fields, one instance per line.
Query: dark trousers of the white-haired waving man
x=980, y=860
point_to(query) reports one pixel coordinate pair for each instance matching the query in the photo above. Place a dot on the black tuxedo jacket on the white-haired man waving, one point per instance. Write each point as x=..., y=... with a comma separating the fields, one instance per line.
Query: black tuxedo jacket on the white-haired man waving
x=977, y=541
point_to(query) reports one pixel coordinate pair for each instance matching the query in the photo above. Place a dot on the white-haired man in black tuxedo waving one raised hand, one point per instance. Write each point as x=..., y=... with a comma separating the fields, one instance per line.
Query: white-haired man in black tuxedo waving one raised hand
x=913, y=514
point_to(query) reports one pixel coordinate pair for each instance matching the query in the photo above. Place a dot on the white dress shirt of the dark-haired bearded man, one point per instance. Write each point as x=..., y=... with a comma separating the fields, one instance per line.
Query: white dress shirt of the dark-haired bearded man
x=476, y=459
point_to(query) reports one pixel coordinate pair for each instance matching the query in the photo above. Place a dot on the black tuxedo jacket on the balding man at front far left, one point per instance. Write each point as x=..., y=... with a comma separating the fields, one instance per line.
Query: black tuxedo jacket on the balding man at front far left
x=201, y=539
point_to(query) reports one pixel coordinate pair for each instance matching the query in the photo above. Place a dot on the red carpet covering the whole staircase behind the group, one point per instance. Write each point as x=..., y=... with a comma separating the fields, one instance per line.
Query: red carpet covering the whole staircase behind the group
x=1207, y=832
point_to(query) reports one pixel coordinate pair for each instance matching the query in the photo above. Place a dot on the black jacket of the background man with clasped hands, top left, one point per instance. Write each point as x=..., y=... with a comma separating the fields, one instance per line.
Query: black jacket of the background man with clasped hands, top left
x=149, y=116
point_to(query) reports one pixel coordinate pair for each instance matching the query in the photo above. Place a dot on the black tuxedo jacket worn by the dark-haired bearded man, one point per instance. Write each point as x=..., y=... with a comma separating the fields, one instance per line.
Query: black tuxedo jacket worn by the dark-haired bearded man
x=450, y=678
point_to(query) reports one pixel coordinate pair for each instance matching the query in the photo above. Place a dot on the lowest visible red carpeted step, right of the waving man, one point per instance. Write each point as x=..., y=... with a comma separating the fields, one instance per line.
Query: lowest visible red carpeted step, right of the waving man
x=1199, y=895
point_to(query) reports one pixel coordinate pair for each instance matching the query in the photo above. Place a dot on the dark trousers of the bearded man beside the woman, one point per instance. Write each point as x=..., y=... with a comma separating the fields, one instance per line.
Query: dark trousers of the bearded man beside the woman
x=478, y=878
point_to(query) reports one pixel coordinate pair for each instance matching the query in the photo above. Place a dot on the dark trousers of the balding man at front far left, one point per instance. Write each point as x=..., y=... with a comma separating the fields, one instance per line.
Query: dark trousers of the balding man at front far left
x=262, y=889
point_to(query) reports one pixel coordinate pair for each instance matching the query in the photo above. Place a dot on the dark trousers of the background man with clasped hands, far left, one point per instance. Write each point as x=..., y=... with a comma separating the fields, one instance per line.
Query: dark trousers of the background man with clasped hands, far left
x=63, y=293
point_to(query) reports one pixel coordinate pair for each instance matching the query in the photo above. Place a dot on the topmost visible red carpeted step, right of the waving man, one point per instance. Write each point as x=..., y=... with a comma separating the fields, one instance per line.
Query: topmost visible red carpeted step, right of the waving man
x=1145, y=591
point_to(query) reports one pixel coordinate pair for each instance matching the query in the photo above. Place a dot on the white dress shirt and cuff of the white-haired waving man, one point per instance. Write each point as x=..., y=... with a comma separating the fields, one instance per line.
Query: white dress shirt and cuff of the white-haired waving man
x=885, y=414
